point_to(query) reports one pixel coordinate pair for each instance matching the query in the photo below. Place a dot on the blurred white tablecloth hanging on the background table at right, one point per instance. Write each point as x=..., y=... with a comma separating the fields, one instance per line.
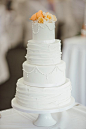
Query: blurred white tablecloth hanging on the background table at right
x=74, y=54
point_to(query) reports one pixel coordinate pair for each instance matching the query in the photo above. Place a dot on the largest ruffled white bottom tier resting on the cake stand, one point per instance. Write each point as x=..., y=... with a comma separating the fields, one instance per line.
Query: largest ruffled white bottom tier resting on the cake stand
x=43, y=98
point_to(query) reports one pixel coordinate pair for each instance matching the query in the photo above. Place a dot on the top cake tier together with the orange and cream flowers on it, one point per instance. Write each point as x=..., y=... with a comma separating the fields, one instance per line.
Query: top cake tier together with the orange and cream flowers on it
x=43, y=27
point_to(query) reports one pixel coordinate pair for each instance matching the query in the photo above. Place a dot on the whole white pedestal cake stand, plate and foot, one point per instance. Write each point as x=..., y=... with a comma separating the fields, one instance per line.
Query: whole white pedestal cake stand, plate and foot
x=44, y=118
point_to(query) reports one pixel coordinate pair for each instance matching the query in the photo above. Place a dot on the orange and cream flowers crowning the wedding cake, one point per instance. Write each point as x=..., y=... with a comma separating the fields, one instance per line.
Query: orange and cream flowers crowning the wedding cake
x=42, y=17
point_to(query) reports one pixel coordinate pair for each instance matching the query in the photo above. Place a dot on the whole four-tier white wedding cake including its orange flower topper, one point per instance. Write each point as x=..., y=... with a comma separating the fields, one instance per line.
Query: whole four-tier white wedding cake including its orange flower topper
x=44, y=84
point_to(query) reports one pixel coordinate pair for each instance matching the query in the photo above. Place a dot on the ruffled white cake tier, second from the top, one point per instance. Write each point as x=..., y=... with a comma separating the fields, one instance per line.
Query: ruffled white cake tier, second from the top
x=43, y=53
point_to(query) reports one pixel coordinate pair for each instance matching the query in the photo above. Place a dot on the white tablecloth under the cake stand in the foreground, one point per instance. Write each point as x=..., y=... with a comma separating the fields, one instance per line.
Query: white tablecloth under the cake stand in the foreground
x=74, y=118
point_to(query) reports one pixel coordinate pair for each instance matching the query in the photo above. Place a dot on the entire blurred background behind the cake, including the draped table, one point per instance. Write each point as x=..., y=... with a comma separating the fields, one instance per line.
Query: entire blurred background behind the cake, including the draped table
x=15, y=31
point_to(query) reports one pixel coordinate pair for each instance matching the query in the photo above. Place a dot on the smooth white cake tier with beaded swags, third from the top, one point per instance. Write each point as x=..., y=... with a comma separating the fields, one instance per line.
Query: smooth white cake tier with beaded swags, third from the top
x=44, y=76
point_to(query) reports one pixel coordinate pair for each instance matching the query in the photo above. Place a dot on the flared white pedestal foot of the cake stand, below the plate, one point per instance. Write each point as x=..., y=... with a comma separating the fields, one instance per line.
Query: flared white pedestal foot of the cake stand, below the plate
x=45, y=120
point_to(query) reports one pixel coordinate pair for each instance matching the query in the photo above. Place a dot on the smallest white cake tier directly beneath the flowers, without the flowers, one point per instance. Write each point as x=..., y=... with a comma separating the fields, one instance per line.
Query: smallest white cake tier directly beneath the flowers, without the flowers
x=43, y=32
